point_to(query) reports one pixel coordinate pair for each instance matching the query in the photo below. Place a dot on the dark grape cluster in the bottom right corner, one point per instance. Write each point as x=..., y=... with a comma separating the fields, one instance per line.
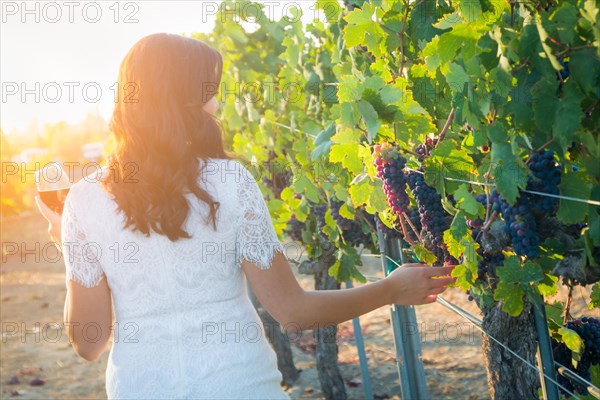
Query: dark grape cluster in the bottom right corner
x=588, y=329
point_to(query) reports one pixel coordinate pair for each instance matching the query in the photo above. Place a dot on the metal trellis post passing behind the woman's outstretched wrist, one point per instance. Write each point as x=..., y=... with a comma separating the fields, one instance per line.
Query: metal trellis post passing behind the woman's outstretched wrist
x=413, y=384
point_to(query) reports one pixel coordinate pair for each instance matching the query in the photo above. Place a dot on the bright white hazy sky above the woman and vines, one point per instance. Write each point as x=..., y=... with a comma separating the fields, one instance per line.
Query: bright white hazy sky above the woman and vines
x=59, y=59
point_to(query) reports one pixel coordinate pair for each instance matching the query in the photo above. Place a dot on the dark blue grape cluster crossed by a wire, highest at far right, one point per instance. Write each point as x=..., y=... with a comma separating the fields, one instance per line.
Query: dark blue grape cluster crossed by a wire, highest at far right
x=546, y=179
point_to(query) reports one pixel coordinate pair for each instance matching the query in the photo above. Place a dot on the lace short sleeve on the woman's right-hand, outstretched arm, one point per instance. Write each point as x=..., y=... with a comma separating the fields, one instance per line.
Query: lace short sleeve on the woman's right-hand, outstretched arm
x=257, y=241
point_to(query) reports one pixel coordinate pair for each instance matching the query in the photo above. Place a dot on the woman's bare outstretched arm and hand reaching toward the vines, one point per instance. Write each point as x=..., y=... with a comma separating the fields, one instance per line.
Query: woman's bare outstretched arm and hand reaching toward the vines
x=294, y=308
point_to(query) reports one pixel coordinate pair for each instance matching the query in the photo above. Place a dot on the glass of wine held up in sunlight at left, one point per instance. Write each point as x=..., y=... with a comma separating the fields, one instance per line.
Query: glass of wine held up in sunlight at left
x=53, y=185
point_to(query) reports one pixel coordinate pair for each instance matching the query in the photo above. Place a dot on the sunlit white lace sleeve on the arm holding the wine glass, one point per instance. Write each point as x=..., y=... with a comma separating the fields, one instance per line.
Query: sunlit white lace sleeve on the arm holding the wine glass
x=82, y=258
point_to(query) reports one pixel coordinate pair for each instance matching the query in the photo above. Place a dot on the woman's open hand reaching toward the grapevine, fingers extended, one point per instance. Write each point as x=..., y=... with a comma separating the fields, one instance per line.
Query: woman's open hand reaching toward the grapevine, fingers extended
x=413, y=284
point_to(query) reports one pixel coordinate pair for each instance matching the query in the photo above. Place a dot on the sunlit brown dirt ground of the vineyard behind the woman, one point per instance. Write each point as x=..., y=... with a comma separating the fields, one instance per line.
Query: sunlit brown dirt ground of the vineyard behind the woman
x=32, y=293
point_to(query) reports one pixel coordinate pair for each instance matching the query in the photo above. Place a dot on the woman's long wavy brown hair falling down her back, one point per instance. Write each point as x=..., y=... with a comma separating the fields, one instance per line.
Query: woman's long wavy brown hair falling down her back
x=162, y=132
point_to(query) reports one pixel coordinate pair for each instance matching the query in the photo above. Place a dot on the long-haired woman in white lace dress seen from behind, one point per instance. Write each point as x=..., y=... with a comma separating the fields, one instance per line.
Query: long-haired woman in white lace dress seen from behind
x=171, y=231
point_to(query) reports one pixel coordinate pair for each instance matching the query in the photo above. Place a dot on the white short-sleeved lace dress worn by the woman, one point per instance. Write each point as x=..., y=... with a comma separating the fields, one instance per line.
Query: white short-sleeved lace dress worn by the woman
x=184, y=325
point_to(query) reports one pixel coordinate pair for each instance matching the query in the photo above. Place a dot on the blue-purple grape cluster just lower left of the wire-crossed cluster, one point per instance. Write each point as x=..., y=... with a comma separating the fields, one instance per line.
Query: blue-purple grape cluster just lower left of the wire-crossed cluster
x=519, y=223
